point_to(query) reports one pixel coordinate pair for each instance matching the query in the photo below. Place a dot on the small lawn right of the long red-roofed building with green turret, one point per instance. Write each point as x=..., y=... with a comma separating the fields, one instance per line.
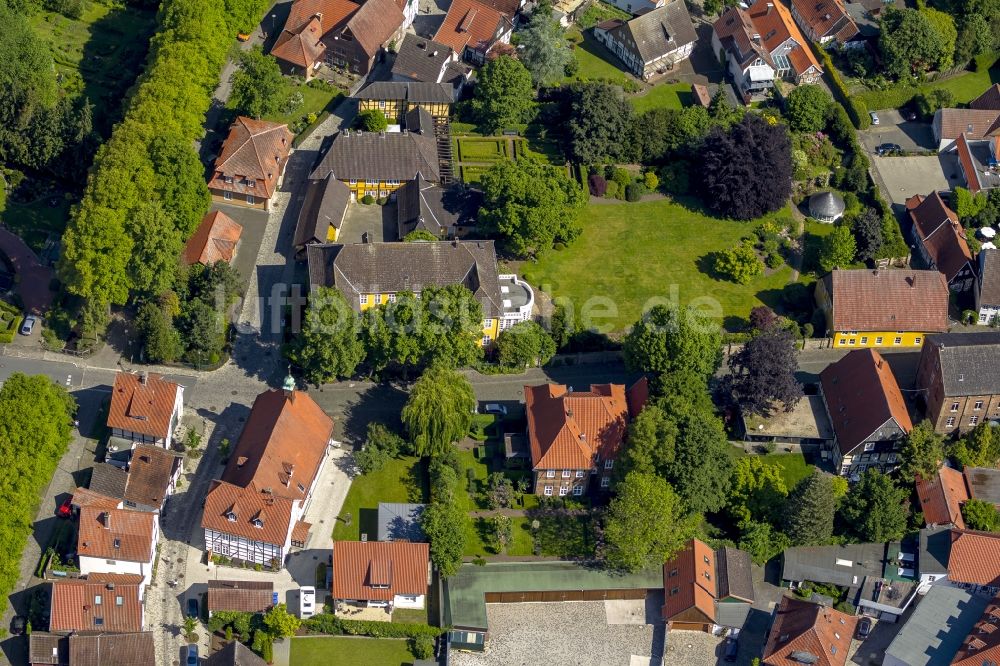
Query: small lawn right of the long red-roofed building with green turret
x=401, y=480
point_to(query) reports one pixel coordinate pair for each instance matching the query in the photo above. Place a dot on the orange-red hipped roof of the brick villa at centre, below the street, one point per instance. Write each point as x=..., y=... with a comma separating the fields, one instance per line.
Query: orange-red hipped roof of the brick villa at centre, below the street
x=568, y=429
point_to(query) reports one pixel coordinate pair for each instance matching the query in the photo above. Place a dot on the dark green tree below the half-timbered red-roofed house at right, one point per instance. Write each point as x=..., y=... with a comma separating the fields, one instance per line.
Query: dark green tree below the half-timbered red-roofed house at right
x=875, y=510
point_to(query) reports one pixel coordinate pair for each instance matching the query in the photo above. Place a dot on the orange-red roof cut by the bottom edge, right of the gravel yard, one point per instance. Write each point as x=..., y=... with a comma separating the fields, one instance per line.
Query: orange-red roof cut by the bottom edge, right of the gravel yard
x=801, y=628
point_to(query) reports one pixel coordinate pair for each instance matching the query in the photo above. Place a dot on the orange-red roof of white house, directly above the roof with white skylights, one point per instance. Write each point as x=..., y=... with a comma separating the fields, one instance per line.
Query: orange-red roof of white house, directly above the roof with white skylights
x=116, y=534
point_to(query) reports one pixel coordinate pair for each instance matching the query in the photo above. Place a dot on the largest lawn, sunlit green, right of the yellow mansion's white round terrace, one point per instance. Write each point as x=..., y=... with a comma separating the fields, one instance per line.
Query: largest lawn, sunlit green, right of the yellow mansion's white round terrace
x=630, y=253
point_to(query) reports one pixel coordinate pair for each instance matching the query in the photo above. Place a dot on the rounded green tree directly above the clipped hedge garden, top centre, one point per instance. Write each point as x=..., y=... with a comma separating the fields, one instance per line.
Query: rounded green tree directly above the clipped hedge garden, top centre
x=503, y=96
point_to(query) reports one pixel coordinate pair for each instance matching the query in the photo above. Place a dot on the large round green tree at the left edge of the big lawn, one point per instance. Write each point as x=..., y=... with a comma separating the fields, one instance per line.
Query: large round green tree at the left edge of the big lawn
x=532, y=205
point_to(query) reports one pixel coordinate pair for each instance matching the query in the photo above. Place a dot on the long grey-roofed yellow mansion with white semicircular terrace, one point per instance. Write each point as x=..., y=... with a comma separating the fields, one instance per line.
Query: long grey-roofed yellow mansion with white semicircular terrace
x=373, y=274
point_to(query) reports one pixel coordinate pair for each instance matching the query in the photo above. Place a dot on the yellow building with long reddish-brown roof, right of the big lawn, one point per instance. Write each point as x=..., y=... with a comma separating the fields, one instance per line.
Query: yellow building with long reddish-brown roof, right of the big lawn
x=882, y=308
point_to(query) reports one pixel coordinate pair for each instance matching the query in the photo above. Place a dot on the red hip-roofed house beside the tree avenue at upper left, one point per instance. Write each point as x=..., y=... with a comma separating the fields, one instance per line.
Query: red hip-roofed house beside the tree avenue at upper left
x=255, y=150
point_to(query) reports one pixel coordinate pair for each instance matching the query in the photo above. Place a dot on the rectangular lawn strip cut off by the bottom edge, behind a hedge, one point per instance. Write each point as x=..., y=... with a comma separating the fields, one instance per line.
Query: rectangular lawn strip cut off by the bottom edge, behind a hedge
x=348, y=651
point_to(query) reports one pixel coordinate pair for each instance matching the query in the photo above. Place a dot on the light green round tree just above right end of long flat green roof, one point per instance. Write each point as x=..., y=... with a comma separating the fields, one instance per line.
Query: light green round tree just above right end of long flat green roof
x=645, y=524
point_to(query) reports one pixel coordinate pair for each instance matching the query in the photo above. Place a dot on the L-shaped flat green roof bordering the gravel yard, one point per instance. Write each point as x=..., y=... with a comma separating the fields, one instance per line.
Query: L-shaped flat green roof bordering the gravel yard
x=464, y=593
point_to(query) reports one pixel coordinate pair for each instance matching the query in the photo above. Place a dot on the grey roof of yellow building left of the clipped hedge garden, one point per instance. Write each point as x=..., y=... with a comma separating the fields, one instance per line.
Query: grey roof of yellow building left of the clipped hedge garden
x=379, y=156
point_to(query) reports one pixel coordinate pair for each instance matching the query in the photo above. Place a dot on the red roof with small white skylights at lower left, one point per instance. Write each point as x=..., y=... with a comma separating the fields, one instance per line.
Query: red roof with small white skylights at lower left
x=75, y=607
